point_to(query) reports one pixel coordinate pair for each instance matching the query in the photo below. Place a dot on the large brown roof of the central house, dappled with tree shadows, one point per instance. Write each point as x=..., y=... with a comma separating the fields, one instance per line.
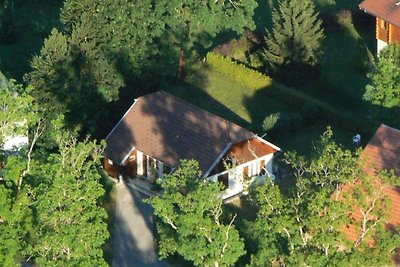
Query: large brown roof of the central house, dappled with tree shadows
x=168, y=129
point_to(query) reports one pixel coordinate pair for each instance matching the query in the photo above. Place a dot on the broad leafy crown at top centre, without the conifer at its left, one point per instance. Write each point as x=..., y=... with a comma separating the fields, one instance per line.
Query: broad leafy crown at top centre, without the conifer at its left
x=149, y=37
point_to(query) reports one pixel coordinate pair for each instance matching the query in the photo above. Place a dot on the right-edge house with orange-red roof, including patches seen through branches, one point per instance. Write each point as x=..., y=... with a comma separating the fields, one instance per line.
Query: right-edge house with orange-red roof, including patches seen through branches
x=382, y=153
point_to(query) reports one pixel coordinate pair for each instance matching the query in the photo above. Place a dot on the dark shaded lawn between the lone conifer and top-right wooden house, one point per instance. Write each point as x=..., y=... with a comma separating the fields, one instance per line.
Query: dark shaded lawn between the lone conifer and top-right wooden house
x=343, y=70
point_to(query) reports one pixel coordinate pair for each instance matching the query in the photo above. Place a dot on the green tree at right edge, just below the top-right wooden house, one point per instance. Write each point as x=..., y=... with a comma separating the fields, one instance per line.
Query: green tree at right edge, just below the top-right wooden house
x=385, y=79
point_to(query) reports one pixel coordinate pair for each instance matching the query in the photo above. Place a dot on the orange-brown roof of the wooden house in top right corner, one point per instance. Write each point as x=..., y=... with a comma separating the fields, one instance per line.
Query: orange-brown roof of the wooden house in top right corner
x=384, y=9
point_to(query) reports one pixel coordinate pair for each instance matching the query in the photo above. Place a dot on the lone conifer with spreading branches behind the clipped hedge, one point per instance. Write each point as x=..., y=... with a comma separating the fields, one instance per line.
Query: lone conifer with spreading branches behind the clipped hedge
x=294, y=45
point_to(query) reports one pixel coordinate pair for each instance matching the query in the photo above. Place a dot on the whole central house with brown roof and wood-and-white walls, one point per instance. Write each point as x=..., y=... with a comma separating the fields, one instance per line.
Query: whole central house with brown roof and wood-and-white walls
x=159, y=129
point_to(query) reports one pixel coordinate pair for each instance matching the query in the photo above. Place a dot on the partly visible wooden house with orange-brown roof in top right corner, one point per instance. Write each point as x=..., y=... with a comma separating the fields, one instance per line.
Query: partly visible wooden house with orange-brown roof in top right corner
x=387, y=13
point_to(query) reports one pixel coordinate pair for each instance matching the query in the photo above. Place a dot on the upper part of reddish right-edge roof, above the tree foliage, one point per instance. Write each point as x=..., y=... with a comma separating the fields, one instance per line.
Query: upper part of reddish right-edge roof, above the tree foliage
x=383, y=150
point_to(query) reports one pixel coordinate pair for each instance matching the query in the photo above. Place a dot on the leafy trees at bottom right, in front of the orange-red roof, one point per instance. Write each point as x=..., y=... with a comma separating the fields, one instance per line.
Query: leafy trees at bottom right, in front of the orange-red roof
x=302, y=226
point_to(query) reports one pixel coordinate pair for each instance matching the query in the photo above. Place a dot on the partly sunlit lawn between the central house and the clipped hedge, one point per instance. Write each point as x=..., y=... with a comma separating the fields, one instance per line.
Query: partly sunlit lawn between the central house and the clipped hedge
x=247, y=107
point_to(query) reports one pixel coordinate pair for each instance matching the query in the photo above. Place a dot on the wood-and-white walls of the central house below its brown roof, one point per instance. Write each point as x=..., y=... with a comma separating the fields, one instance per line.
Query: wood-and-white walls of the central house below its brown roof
x=244, y=163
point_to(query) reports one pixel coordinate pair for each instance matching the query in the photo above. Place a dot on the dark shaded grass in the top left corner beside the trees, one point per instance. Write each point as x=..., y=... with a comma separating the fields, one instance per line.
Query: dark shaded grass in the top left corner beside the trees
x=34, y=21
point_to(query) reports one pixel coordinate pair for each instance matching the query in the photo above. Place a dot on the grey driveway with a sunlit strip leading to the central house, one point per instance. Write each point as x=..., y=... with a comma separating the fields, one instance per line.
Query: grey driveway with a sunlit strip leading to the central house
x=134, y=242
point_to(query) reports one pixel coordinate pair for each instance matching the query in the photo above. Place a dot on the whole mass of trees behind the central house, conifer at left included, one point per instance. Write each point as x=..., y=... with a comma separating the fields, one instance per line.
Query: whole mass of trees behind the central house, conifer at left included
x=106, y=46
